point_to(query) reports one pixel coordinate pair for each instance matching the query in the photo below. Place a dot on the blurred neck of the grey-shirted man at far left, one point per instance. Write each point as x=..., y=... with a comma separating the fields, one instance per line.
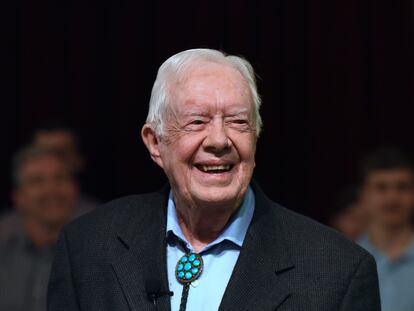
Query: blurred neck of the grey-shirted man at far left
x=39, y=234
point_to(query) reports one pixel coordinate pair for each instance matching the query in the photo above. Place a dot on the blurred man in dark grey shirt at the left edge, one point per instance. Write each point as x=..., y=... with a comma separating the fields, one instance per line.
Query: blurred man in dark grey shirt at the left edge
x=44, y=197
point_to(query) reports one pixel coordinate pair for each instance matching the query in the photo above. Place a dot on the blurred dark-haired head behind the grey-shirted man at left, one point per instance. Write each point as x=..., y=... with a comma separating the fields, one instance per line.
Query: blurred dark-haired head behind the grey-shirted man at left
x=62, y=139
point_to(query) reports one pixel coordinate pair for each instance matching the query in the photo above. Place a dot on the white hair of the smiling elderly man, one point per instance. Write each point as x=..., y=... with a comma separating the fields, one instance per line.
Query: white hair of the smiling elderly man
x=174, y=67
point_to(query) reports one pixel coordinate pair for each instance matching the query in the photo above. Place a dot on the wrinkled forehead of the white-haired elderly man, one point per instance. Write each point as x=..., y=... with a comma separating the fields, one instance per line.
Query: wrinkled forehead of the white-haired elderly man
x=210, y=85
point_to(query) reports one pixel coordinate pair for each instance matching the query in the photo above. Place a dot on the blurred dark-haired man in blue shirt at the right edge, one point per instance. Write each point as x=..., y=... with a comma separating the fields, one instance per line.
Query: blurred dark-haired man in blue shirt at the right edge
x=387, y=194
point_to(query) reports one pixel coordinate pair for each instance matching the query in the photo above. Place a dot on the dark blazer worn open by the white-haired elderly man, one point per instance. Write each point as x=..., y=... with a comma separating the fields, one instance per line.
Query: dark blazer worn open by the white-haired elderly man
x=106, y=259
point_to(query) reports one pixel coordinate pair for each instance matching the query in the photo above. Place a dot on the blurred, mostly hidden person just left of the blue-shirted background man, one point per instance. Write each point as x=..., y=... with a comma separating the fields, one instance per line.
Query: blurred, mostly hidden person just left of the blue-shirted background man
x=349, y=216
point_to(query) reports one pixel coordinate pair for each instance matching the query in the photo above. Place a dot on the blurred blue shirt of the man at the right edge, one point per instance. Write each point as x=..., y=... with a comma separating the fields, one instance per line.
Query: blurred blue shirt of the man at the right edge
x=396, y=277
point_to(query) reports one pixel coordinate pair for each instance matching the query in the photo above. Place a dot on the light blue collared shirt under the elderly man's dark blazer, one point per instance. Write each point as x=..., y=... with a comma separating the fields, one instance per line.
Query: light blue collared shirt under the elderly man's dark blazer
x=219, y=257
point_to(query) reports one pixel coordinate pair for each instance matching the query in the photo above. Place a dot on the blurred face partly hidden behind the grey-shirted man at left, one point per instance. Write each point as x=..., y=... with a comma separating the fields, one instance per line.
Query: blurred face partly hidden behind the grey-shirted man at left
x=62, y=142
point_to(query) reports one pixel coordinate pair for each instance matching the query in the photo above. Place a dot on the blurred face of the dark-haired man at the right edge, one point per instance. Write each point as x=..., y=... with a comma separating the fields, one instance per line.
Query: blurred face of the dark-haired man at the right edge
x=388, y=196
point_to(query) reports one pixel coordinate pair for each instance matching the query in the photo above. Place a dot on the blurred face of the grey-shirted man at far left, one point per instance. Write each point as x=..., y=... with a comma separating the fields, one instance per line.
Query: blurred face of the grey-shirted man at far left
x=47, y=192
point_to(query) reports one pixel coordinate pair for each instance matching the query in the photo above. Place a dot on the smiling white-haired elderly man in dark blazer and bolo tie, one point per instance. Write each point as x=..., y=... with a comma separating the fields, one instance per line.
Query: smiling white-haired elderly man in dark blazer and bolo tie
x=211, y=239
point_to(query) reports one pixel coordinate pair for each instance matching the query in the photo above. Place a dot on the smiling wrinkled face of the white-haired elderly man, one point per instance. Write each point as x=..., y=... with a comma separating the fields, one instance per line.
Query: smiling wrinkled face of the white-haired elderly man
x=208, y=147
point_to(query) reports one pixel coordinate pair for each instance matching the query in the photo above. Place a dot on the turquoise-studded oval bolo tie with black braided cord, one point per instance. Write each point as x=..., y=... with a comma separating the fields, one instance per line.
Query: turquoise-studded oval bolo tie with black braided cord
x=187, y=270
